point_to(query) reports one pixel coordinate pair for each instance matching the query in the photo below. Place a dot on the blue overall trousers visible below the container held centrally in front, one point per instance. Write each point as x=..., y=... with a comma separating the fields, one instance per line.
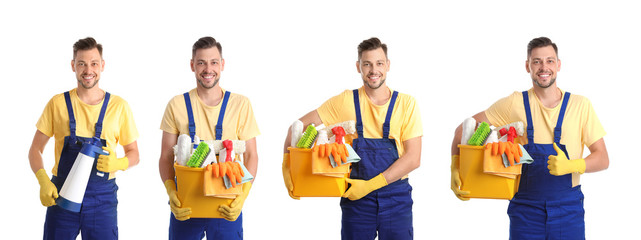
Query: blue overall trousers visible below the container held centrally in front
x=215, y=228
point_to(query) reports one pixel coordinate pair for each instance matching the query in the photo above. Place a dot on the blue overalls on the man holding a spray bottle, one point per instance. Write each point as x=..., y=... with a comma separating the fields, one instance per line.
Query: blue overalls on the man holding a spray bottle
x=97, y=218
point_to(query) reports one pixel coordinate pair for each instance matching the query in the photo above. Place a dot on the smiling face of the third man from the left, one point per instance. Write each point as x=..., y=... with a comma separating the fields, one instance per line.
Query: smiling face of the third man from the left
x=373, y=67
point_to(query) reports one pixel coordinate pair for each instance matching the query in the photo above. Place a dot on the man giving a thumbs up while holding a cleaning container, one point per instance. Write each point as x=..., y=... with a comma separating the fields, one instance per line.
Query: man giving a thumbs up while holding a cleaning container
x=549, y=203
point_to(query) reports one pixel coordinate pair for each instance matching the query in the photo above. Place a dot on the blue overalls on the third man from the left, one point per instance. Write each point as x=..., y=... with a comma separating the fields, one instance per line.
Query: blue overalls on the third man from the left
x=387, y=210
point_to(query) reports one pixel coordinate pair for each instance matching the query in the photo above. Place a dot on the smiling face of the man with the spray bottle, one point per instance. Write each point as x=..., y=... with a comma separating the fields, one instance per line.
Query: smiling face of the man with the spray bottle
x=88, y=65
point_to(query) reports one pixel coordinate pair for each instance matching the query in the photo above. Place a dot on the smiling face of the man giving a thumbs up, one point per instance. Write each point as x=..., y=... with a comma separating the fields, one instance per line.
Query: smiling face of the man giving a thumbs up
x=543, y=64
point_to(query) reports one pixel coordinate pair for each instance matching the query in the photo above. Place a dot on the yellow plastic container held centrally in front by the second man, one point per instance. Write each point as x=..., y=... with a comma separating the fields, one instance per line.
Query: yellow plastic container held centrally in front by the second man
x=191, y=193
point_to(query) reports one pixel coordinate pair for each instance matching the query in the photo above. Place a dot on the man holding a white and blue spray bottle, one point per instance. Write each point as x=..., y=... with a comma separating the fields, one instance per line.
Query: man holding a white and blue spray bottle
x=73, y=118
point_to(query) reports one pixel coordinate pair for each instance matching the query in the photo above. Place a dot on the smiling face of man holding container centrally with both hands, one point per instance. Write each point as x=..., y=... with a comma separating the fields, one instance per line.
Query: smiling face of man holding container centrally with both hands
x=207, y=64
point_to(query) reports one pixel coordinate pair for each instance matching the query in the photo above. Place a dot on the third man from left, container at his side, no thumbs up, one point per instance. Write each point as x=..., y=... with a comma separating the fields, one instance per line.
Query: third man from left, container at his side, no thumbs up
x=379, y=197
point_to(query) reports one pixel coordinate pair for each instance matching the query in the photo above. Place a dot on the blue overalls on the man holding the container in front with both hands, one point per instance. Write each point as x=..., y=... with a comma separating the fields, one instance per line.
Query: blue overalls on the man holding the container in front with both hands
x=216, y=228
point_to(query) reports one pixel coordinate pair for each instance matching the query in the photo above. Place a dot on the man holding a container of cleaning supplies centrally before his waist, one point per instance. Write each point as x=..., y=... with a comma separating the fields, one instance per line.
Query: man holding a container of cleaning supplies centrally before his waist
x=208, y=101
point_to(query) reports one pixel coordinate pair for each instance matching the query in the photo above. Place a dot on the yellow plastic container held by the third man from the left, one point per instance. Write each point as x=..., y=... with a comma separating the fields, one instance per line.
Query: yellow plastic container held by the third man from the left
x=307, y=184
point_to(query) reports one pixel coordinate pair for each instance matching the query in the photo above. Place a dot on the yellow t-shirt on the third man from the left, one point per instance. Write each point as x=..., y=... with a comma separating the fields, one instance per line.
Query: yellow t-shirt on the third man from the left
x=405, y=122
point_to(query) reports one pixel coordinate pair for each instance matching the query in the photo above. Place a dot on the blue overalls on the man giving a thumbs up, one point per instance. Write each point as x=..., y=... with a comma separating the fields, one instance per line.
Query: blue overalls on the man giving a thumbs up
x=546, y=206
